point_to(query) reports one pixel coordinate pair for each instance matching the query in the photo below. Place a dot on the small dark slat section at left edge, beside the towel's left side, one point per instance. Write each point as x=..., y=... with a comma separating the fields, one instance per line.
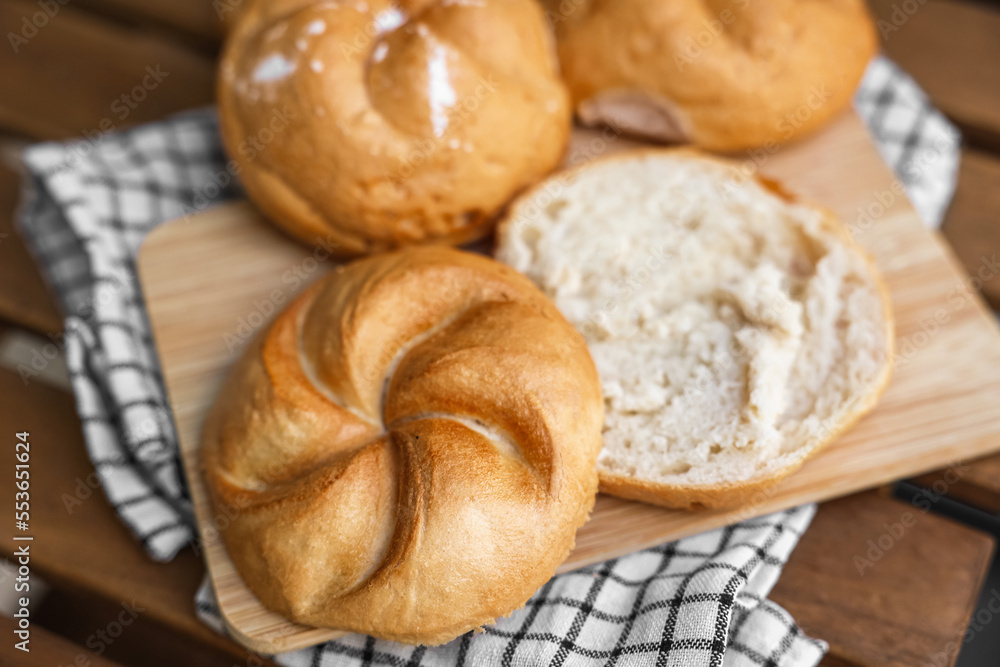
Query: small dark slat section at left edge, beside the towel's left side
x=24, y=298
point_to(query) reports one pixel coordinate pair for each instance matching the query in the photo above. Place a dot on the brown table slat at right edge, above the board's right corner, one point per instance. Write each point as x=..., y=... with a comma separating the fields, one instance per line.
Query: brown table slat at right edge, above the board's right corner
x=972, y=225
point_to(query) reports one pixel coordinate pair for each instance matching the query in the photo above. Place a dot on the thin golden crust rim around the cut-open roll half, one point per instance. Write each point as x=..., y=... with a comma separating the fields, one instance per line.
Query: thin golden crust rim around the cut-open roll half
x=753, y=491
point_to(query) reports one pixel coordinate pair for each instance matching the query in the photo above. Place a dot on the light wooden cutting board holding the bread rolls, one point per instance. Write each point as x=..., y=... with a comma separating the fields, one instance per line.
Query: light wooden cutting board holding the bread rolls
x=212, y=281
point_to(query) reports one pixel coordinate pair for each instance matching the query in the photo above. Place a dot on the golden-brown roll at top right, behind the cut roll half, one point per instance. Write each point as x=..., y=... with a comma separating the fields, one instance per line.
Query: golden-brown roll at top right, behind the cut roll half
x=723, y=74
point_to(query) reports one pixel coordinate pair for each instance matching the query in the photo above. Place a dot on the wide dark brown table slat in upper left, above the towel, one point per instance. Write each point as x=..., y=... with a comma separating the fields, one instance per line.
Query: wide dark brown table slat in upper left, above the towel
x=69, y=78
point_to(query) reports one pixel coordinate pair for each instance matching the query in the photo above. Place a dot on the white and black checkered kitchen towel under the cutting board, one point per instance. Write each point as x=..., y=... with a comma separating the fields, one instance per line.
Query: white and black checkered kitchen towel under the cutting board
x=698, y=601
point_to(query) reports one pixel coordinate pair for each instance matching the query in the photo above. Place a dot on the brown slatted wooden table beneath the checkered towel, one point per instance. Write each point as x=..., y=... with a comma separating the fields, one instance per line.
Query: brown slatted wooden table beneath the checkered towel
x=910, y=605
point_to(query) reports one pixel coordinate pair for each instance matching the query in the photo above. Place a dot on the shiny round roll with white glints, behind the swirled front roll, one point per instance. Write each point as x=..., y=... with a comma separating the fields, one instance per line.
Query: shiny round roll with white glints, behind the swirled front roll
x=375, y=125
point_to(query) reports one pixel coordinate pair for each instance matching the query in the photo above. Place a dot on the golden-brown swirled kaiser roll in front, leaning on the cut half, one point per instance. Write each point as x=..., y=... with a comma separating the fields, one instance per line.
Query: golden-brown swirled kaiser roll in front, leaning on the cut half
x=412, y=445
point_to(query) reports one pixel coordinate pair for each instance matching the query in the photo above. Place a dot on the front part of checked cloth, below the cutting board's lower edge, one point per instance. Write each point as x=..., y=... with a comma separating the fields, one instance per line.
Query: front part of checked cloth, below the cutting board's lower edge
x=682, y=603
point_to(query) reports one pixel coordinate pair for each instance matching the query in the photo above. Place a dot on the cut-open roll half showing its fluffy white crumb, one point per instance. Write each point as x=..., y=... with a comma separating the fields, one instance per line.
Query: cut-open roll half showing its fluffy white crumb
x=736, y=331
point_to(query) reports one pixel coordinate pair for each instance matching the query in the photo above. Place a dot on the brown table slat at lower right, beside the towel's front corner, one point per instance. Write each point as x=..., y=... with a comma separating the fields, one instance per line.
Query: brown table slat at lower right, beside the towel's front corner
x=908, y=605
